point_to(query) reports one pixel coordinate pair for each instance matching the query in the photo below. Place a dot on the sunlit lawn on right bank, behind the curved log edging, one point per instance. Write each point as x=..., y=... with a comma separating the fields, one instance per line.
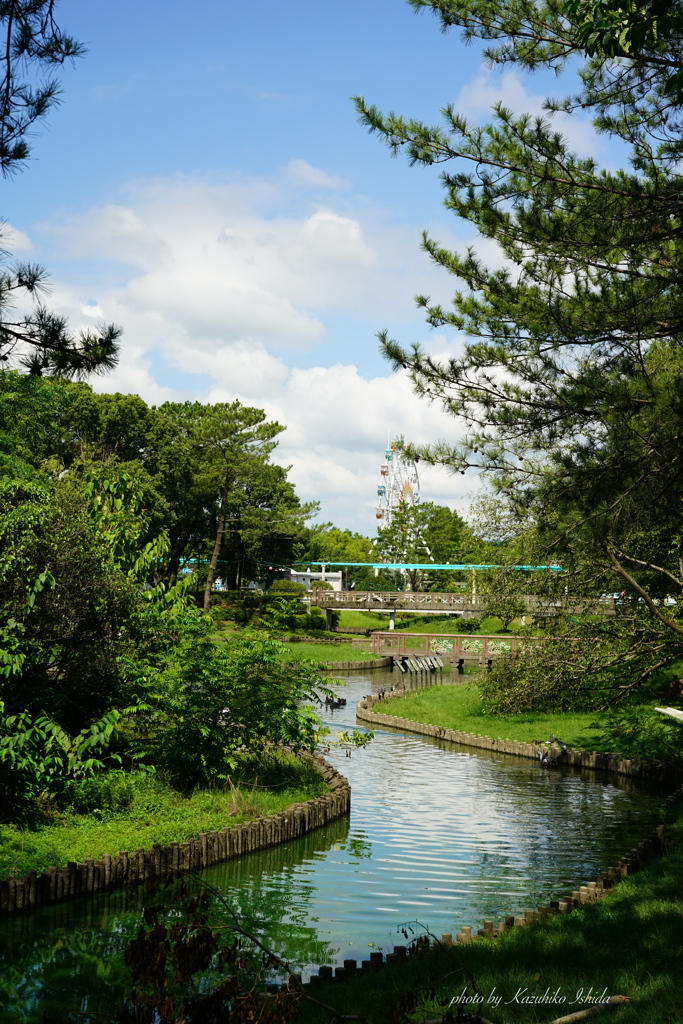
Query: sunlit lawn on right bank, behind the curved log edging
x=460, y=708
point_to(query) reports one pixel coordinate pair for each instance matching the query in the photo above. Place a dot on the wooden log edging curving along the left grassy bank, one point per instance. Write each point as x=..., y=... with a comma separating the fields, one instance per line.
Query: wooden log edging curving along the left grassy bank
x=58, y=885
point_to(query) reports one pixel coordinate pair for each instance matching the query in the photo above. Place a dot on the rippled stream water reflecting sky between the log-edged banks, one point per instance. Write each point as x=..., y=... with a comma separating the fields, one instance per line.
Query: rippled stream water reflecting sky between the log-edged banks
x=439, y=835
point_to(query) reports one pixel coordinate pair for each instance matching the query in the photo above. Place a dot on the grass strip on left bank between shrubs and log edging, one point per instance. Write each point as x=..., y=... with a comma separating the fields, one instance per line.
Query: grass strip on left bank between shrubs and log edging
x=156, y=815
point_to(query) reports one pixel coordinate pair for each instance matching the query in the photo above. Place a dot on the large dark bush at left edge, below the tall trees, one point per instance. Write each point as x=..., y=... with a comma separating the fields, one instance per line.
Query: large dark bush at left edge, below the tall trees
x=69, y=612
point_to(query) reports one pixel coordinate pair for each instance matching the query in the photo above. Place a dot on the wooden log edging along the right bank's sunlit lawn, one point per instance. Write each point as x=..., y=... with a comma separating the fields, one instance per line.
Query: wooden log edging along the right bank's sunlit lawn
x=599, y=761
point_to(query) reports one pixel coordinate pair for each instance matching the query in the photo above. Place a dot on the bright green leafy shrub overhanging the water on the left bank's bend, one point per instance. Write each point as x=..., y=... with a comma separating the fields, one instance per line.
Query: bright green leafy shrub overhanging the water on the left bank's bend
x=207, y=702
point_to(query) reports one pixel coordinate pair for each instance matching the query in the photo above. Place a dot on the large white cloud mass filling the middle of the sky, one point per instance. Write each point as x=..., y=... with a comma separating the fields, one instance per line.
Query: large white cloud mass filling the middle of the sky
x=221, y=287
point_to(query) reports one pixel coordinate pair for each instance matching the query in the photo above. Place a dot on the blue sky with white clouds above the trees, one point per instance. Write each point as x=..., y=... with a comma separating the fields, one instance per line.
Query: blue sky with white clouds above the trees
x=205, y=185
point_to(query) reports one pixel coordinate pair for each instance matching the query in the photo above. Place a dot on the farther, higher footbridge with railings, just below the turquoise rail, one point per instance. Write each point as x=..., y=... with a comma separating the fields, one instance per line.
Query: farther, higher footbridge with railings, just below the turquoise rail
x=440, y=604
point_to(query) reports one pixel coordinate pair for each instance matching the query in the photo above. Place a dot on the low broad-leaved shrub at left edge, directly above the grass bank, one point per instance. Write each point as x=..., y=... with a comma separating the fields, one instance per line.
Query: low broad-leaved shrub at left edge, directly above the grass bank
x=39, y=761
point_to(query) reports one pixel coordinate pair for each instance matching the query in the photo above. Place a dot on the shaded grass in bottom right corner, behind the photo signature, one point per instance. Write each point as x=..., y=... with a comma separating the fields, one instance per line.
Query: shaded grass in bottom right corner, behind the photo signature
x=630, y=944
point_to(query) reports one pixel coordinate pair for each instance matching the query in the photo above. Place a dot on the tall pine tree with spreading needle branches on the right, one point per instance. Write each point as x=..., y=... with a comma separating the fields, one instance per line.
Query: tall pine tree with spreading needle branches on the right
x=569, y=385
